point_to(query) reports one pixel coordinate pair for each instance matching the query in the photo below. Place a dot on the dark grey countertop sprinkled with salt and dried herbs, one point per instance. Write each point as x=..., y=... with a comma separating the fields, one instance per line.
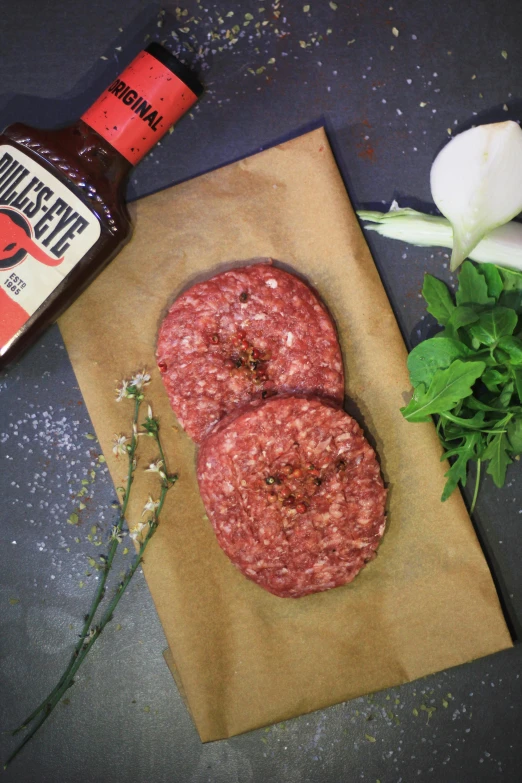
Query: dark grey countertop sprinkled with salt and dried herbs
x=124, y=719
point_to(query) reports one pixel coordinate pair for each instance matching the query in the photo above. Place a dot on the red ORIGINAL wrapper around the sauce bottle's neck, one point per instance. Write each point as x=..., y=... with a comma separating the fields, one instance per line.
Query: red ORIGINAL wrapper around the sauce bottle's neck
x=139, y=107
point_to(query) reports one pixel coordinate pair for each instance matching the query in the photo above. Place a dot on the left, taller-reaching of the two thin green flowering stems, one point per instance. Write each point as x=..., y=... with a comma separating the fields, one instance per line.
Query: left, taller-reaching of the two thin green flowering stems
x=100, y=591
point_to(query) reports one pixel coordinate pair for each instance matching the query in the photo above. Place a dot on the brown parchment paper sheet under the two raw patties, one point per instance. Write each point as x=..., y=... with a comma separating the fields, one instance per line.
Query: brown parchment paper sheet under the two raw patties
x=242, y=657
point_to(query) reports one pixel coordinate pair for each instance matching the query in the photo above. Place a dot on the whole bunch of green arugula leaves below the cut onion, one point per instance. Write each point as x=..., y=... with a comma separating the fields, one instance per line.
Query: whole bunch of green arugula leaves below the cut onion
x=470, y=375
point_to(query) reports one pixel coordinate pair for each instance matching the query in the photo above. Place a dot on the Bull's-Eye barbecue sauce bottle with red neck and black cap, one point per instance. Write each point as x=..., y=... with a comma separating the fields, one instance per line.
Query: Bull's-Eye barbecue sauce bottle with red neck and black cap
x=62, y=210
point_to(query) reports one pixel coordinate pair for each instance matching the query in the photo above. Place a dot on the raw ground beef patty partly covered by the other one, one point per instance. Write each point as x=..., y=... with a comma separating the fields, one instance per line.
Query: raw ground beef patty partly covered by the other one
x=245, y=334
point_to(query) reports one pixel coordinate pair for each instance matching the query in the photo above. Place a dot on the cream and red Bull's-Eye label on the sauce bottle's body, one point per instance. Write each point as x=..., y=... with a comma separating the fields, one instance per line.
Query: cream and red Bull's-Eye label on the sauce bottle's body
x=45, y=230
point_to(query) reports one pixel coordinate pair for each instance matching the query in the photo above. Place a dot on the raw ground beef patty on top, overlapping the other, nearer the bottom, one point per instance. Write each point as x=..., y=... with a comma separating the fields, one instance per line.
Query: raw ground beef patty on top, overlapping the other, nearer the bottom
x=294, y=493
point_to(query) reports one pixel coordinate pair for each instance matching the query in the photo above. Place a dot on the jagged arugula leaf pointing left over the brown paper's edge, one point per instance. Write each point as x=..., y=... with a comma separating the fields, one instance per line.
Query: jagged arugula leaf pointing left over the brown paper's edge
x=446, y=389
